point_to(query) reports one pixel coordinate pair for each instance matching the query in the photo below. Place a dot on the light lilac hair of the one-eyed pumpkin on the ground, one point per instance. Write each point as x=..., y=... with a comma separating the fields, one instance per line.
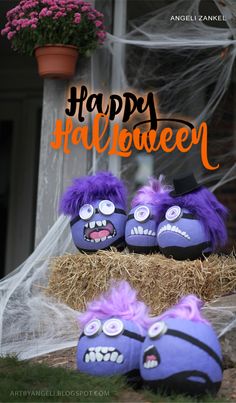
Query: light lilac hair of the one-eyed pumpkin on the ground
x=187, y=308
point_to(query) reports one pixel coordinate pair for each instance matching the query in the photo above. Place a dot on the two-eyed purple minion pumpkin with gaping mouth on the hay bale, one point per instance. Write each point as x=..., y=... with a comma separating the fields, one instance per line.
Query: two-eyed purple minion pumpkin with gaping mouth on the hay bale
x=97, y=206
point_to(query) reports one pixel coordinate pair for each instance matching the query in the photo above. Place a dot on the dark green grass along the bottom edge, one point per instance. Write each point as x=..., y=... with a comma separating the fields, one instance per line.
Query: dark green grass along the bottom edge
x=23, y=381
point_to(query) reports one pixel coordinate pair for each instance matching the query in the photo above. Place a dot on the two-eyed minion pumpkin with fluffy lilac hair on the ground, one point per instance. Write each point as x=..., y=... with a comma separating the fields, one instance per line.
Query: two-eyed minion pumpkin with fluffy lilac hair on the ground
x=113, y=330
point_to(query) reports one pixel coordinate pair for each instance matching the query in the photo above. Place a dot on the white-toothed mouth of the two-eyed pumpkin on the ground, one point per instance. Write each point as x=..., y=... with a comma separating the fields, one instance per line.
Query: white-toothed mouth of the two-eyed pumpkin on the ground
x=103, y=354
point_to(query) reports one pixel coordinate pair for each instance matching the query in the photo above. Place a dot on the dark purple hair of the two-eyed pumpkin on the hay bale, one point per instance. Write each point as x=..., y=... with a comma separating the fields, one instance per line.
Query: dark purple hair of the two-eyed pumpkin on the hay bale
x=101, y=186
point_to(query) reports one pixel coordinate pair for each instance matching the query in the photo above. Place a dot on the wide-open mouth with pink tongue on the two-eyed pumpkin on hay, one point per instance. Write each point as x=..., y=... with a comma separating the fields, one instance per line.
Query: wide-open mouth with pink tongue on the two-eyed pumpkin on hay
x=99, y=231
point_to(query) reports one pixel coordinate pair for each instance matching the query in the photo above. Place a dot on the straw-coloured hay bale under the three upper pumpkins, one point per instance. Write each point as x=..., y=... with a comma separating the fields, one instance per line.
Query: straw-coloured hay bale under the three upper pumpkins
x=78, y=278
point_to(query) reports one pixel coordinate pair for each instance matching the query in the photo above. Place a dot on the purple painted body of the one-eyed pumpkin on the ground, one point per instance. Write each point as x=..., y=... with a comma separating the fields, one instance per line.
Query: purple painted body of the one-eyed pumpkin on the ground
x=170, y=355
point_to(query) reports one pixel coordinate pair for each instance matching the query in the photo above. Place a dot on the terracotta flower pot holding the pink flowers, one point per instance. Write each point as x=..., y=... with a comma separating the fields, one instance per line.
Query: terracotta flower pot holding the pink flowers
x=56, y=61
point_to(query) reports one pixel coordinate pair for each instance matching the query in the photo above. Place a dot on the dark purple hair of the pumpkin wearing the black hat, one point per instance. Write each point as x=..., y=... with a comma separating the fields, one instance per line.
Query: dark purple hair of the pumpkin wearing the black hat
x=205, y=206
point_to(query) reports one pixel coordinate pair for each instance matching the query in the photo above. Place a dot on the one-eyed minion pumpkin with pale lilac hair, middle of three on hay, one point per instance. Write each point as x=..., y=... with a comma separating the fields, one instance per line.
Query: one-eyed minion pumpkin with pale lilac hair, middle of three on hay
x=142, y=222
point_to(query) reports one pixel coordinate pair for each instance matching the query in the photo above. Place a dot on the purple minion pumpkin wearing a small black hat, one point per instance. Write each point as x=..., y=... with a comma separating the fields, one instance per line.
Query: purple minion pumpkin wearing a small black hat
x=193, y=221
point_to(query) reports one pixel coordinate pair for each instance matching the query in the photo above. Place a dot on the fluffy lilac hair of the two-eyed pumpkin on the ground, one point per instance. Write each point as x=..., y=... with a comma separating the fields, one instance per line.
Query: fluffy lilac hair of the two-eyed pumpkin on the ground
x=120, y=301
